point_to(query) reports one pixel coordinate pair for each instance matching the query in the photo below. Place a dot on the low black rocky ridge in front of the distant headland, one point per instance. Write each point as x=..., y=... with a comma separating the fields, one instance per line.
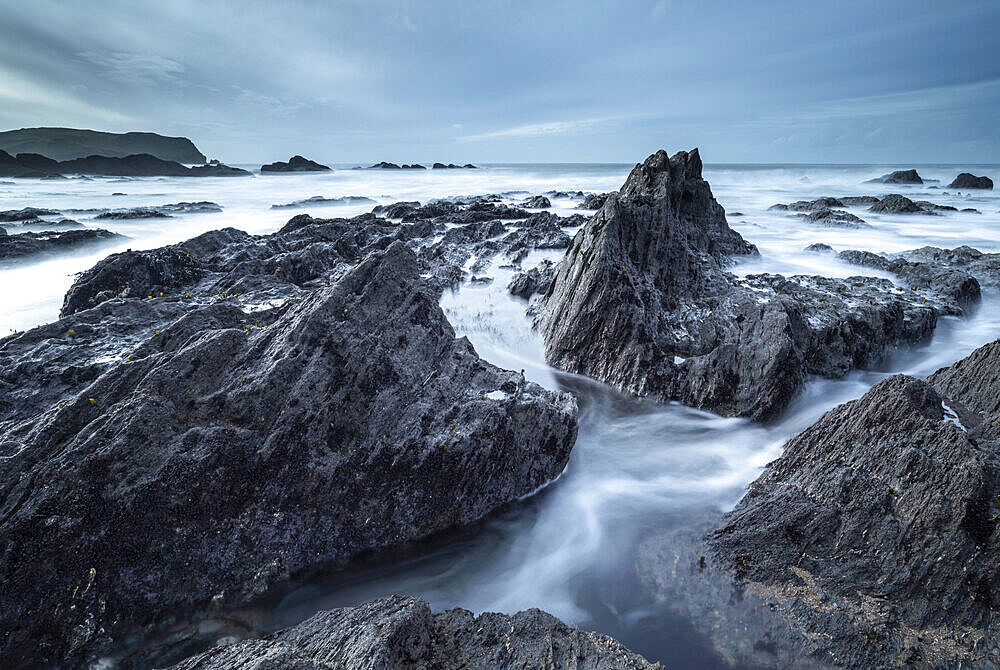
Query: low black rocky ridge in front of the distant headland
x=30, y=165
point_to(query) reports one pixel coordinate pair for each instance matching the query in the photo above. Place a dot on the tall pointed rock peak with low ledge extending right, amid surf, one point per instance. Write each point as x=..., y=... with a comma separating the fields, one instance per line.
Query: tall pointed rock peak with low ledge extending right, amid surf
x=643, y=302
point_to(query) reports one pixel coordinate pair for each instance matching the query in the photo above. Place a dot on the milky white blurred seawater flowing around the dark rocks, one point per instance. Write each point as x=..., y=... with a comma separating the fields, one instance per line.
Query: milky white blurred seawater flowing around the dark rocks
x=637, y=468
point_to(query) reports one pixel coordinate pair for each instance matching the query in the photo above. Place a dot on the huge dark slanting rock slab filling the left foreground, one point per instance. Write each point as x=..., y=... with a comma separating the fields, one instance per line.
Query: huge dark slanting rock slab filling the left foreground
x=239, y=450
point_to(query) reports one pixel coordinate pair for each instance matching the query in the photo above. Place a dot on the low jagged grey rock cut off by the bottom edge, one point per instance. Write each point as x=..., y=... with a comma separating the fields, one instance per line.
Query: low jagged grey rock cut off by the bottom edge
x=401, y=632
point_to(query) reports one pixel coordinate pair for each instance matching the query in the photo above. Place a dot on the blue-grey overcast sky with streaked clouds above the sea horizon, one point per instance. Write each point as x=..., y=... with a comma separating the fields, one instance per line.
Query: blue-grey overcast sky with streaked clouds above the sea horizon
x=764, y=81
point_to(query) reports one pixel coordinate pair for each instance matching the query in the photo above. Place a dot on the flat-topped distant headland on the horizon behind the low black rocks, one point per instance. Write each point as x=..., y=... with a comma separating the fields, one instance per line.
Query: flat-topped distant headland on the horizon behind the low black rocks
x=68, y=143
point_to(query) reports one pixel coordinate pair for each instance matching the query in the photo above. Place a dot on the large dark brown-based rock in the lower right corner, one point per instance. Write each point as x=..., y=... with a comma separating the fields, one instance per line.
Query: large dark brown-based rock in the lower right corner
x=875, y=534
